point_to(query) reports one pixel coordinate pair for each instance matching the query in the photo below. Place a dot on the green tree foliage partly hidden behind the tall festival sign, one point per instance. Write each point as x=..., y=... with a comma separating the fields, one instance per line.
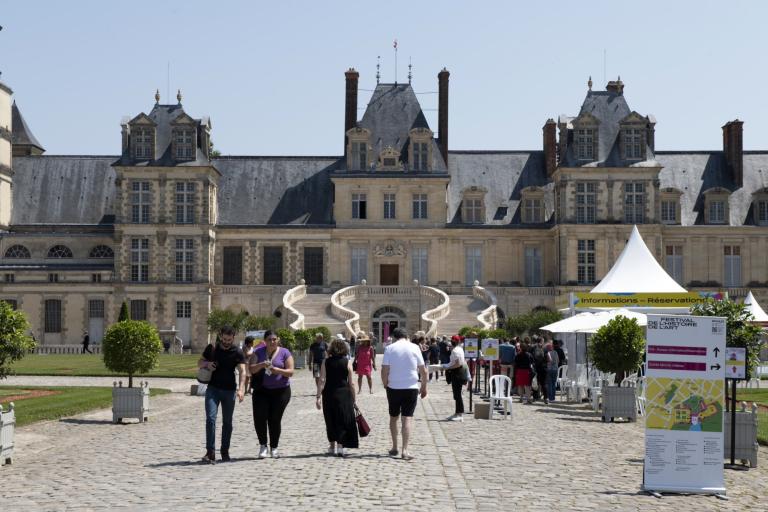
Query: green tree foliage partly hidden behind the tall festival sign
x=739, y=329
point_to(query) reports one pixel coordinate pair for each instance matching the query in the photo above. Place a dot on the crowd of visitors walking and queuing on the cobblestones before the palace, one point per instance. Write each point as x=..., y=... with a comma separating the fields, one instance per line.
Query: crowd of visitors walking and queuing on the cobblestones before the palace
x=409, y=363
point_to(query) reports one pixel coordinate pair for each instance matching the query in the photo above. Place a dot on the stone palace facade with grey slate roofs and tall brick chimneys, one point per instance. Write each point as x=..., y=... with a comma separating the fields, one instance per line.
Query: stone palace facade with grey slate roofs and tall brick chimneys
x=176, y=230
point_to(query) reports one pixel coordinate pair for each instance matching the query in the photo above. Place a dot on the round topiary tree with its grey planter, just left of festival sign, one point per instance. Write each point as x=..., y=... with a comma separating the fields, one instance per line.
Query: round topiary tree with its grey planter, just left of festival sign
x=618, y=348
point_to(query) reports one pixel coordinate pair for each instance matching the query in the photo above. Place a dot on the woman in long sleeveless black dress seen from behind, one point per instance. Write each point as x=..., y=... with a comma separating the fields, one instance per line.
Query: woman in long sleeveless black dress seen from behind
x=336, y=396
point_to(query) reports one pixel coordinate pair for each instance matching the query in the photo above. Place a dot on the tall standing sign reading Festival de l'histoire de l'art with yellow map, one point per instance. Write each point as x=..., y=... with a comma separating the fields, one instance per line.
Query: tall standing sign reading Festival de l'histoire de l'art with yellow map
x=685, y=404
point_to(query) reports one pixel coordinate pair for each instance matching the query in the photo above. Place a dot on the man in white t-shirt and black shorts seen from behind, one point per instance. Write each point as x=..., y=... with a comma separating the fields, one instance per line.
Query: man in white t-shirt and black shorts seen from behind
x=401, y=370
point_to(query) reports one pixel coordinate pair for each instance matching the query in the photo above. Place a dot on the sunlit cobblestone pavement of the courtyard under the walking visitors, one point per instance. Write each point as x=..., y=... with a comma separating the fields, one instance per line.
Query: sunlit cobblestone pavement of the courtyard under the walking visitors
x=552, y=458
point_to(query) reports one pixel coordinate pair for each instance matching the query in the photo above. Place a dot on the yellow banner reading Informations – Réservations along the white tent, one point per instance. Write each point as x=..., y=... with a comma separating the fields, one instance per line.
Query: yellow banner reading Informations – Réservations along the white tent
x=645, y=300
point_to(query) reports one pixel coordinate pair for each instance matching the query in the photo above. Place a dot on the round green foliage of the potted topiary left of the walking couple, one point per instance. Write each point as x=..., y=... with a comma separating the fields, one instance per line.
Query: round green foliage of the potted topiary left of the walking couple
x=131, y=347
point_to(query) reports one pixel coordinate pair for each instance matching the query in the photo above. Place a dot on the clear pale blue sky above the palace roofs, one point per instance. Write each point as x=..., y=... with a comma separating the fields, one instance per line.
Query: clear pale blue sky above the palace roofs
x=271, y=74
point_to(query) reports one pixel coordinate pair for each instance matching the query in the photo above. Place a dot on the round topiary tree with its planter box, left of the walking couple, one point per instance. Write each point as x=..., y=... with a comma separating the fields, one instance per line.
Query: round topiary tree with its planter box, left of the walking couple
x=131, y=347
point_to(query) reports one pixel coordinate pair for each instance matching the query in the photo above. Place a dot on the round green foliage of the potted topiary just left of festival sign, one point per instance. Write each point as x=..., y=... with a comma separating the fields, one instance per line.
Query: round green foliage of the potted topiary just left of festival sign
x=618, y=347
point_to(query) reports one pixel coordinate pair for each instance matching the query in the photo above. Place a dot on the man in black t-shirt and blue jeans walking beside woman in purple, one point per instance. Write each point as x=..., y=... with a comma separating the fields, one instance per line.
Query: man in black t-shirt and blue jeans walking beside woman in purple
x=223, y=358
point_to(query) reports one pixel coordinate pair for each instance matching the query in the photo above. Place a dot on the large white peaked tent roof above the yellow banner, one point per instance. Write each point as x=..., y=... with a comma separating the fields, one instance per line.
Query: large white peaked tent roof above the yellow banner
x=637, y=271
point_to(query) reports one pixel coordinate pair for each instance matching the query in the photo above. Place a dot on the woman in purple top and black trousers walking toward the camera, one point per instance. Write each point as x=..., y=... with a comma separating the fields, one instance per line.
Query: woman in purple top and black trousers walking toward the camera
x=272, y=368
